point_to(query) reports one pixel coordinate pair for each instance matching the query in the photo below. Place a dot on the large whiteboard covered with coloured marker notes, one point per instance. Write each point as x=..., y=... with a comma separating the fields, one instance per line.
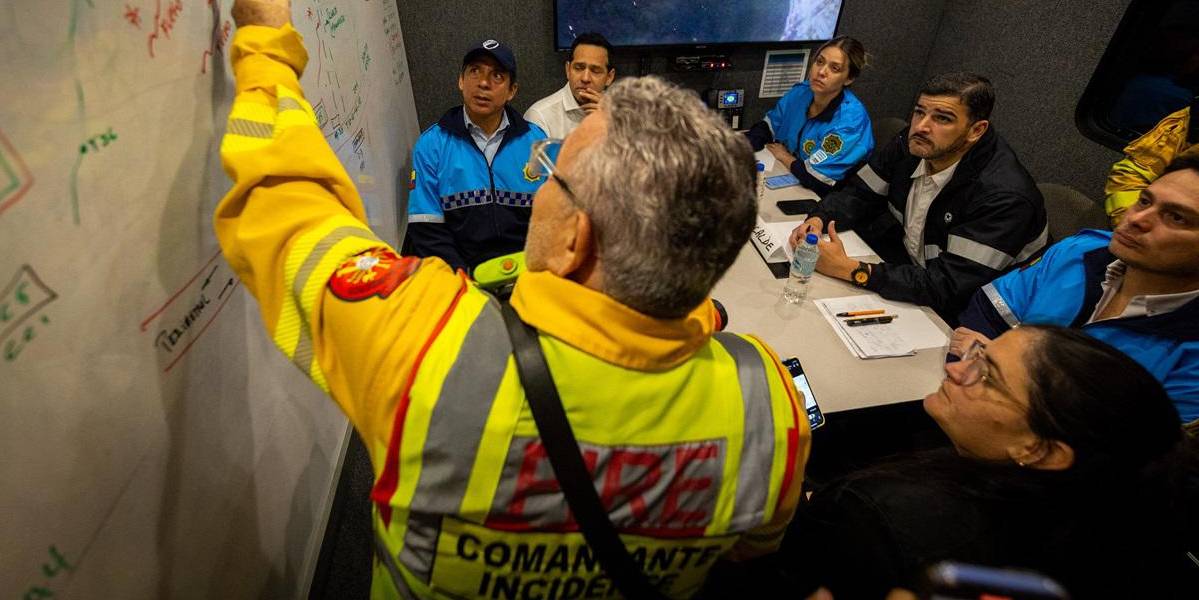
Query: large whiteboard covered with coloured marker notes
x=153, y=441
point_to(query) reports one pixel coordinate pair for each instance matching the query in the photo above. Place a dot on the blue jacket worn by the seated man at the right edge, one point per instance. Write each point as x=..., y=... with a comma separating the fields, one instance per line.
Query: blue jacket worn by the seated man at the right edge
x=1064, y=289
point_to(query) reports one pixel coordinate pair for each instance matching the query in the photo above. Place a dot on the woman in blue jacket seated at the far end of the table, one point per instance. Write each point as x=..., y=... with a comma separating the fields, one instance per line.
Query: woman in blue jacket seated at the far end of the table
x=820, y=130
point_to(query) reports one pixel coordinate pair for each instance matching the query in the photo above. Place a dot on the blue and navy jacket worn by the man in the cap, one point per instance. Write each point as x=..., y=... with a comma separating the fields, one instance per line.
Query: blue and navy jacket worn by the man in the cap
x=461, y=208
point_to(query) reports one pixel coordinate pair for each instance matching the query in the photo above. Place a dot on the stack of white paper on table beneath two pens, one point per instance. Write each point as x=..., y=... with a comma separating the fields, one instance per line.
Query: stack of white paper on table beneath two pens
x=911, y=332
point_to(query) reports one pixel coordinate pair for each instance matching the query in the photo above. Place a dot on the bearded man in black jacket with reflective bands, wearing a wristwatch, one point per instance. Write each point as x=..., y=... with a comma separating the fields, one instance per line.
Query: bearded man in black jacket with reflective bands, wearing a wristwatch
x=966, y=211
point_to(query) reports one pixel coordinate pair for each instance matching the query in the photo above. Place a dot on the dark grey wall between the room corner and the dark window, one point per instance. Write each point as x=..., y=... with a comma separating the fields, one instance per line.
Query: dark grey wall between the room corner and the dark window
x=1040, y=57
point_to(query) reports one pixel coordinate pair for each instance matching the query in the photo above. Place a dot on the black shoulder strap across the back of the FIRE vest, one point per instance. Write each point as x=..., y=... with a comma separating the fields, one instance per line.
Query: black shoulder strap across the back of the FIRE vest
x=567, y=459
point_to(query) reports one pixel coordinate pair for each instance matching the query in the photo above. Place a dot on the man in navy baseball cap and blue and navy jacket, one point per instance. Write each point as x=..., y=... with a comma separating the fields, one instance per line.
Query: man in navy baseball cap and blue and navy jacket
x=469, y=195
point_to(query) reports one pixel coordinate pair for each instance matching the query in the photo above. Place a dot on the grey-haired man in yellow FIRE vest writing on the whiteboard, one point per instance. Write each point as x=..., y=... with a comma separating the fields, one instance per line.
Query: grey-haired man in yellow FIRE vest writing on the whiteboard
x=695, y=440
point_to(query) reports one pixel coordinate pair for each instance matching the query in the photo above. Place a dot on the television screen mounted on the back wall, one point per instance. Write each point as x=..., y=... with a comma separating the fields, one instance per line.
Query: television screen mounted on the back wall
x=643, y=23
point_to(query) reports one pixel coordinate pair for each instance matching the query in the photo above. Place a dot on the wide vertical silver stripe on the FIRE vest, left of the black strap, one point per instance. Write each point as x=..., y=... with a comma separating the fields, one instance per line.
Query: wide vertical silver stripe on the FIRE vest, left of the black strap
x=455, y=433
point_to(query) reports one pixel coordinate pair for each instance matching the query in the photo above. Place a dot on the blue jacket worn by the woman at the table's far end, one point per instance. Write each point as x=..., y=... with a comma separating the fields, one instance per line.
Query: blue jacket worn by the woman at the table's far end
x=827, y=147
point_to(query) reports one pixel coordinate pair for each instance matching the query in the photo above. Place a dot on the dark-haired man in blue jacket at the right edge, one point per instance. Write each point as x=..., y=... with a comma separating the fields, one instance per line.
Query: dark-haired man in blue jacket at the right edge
x=1136, y=289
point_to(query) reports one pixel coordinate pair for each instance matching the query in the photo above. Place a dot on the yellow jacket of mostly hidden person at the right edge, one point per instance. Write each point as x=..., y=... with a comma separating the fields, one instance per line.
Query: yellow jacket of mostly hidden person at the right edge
x=1146, y=159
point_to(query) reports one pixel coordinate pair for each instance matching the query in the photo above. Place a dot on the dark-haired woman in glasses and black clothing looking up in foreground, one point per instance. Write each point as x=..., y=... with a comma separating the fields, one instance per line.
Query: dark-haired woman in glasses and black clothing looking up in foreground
x=1069, y=459
